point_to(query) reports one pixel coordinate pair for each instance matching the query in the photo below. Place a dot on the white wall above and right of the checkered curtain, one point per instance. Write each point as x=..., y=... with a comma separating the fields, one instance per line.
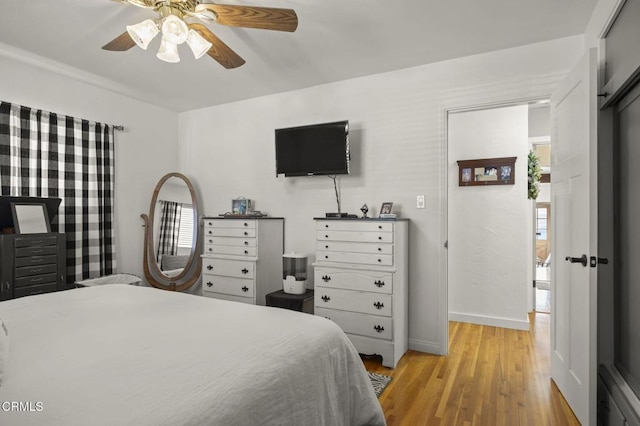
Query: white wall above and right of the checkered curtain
x=145, y=150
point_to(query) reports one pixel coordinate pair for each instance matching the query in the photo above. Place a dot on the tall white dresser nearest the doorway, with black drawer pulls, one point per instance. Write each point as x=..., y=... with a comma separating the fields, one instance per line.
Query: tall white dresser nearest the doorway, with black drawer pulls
x=361, y=282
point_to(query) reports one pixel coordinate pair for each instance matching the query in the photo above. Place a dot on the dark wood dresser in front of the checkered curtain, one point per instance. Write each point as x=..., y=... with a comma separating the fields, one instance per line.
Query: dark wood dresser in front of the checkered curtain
x=32, y=264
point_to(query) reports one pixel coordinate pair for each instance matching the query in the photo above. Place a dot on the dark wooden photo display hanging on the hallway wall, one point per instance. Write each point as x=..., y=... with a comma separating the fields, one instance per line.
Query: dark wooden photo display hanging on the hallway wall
x=487, y=171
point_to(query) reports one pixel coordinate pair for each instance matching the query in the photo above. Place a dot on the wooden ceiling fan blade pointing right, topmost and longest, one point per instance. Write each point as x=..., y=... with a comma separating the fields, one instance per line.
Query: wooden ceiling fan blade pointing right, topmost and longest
x=264, y=18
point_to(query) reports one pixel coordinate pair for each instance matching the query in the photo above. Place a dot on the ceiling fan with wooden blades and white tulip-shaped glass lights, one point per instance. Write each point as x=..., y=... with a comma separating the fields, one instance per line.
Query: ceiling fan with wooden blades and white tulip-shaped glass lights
x=181, y=21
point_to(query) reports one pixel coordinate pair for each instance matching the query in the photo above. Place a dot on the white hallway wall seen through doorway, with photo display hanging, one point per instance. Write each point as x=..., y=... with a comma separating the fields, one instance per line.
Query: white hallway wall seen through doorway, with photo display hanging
x=489, y=226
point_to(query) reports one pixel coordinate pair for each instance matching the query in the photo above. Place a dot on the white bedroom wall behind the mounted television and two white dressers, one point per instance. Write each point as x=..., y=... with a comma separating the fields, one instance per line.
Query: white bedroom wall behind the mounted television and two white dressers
x=398, y=151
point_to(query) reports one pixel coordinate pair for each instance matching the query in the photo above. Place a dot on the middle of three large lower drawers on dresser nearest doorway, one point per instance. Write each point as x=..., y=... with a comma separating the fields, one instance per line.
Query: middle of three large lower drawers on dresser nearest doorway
x=354, y=301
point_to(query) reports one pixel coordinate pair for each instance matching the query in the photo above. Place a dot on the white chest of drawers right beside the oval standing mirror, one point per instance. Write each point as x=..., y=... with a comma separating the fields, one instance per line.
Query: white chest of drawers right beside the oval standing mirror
x=242, y=259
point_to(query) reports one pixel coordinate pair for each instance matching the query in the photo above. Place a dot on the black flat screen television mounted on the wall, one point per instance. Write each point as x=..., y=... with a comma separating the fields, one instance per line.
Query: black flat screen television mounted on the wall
x=317, y=149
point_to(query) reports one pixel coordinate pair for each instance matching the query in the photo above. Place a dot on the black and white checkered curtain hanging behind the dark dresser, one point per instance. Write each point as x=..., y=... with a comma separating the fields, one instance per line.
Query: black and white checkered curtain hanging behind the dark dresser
x=43, y=154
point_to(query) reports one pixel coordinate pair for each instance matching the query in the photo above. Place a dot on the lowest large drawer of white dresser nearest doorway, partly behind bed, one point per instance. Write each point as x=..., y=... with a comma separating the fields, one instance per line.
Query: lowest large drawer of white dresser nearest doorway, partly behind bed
x=361, y=324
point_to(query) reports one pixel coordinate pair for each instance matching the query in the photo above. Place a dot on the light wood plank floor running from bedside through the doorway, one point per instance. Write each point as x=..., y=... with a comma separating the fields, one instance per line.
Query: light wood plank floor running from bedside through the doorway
x=492, y=376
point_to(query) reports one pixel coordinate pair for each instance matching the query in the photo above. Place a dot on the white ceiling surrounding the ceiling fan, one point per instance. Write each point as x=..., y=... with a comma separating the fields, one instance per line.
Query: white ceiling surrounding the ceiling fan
x=335, y=40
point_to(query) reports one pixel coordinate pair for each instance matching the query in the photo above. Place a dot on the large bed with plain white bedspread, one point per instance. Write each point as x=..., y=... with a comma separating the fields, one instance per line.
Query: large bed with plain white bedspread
x=127, y=355
